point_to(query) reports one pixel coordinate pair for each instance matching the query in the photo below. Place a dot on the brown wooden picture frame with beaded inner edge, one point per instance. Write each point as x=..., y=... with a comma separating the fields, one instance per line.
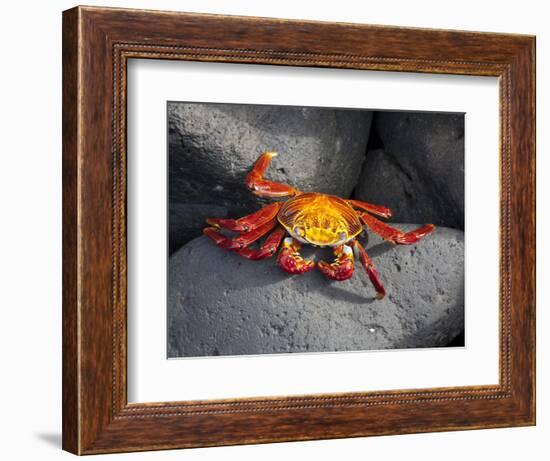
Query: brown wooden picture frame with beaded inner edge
x=97, y=43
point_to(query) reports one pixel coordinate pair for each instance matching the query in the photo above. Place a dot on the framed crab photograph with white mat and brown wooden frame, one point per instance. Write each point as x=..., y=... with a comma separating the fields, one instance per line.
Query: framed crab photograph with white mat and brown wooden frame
x=281, y=230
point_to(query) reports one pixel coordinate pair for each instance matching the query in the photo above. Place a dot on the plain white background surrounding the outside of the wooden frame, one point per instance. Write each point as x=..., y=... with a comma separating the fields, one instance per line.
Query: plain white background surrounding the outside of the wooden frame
x=30, y=237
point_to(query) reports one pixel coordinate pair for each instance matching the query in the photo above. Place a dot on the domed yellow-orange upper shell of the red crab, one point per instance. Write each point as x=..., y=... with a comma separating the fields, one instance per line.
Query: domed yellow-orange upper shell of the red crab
x=319, y=219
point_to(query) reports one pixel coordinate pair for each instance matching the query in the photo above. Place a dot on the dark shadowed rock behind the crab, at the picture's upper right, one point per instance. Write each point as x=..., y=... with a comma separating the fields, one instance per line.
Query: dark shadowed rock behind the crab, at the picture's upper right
x=419, y=170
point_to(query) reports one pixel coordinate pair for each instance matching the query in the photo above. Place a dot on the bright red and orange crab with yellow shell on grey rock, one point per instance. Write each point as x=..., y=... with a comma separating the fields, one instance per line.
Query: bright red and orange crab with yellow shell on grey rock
x=312, y=218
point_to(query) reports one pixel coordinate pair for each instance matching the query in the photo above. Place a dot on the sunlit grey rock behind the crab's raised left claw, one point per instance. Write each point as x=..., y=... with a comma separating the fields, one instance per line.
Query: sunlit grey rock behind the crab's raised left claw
x=212, y=147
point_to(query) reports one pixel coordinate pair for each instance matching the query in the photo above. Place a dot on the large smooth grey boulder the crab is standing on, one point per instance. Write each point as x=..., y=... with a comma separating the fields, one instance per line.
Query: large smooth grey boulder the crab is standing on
x=222, y=304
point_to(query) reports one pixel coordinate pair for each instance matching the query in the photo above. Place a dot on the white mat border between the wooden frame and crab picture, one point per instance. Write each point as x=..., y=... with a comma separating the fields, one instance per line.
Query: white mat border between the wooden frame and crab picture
x=151, y=377
